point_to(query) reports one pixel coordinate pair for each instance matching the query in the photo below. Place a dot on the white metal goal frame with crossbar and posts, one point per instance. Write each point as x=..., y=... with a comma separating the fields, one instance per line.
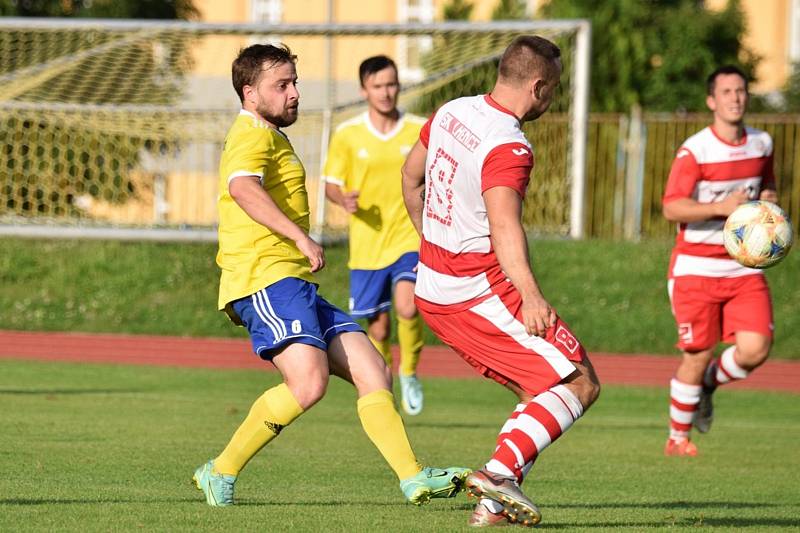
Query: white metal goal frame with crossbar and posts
x=578, y=119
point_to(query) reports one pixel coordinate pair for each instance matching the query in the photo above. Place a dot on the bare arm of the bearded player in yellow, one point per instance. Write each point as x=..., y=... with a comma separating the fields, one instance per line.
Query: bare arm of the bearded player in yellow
x=254, y=200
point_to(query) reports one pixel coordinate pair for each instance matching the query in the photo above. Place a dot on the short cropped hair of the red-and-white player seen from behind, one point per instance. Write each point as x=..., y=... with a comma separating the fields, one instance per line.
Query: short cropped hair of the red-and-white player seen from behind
x=526, y=56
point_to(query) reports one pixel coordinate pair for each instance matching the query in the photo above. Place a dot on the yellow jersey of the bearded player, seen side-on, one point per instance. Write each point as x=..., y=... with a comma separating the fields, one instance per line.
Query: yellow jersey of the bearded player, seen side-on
x=250, y=255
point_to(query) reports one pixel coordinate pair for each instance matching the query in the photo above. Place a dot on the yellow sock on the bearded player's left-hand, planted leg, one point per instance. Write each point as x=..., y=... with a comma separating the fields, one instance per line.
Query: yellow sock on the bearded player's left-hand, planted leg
x=274, y=410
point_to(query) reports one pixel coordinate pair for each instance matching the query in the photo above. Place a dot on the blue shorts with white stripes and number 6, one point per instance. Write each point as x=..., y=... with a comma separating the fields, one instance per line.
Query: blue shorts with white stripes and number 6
x=290, y=311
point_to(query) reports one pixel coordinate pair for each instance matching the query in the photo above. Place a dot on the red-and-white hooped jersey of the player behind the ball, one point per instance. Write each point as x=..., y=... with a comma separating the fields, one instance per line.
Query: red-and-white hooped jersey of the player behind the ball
x=707, y=169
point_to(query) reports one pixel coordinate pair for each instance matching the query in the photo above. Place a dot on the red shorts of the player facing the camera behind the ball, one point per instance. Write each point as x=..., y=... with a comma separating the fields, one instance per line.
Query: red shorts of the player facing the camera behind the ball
x=708, y=310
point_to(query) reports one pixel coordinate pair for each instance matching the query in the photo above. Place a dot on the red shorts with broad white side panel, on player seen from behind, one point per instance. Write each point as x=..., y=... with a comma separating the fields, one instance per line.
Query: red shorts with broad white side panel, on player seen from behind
x=491, y=337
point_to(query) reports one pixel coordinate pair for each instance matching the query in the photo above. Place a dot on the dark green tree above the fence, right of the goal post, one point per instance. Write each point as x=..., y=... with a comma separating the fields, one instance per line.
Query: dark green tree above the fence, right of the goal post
x=656, y=53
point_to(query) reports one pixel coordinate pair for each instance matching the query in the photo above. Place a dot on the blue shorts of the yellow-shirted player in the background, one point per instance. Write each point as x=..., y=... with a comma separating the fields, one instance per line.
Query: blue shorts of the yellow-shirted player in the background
x=371, y=290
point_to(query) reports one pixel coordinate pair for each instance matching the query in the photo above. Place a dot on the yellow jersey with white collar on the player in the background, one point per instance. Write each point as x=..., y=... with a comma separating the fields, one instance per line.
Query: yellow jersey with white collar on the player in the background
x=360, y=158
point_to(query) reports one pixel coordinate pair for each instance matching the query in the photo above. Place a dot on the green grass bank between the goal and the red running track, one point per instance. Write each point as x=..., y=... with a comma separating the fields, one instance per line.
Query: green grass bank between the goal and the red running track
x=613, y=294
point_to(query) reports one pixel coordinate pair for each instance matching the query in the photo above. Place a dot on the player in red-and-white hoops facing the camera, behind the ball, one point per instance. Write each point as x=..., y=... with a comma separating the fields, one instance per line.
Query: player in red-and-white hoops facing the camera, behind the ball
x=713, y=297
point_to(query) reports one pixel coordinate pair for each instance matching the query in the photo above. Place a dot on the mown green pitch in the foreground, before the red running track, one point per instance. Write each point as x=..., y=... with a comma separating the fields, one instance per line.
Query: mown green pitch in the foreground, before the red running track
x=112, y=448
